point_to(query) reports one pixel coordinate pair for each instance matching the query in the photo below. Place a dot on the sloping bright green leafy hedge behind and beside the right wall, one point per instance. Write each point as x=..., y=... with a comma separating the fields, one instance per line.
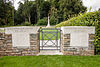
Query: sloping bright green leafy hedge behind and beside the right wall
x=87, y=19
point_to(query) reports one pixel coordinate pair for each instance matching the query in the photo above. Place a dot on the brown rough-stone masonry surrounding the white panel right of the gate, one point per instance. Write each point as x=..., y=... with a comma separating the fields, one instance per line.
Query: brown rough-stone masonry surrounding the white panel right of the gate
x=76, y=50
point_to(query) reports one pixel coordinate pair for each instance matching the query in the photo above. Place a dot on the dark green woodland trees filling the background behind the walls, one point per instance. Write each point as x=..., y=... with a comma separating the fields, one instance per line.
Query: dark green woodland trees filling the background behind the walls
x=37, y=10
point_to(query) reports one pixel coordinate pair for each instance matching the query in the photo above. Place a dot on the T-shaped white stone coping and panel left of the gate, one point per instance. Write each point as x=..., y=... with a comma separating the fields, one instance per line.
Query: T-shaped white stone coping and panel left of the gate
x=21, y=35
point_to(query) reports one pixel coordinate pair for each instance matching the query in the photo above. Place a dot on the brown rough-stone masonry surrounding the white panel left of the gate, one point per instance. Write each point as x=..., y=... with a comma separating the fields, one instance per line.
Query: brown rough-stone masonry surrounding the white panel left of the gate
x=6, y=48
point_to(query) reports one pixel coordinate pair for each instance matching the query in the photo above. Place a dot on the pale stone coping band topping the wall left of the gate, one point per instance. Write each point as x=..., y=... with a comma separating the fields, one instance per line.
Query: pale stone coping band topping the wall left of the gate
x=22, y=29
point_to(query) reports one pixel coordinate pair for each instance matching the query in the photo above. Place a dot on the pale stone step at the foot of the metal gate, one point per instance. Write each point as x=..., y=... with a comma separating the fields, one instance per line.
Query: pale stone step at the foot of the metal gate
x=50, y=52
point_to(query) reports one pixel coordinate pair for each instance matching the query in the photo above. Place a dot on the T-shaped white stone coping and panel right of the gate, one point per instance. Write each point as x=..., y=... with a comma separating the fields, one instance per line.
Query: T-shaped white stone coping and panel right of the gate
x=78, y=34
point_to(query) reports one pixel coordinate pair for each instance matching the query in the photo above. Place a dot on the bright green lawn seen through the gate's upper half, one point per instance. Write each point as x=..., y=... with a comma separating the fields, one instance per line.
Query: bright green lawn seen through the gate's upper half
x=49, y=34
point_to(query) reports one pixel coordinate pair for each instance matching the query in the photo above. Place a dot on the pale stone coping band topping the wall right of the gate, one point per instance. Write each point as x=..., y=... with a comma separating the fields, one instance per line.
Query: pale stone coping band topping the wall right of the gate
x=78, y=29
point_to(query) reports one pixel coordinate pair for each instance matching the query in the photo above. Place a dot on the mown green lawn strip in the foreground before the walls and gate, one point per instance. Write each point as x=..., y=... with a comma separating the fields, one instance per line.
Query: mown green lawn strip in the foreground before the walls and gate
x=50, y=61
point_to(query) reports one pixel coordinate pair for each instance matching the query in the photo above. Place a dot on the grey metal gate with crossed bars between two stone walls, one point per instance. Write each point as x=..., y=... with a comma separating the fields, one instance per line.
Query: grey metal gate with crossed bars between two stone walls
x=50, y=38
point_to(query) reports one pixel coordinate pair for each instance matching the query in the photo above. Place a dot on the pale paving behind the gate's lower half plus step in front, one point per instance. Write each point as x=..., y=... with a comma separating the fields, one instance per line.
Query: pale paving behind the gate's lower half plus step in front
x=49, y=50
